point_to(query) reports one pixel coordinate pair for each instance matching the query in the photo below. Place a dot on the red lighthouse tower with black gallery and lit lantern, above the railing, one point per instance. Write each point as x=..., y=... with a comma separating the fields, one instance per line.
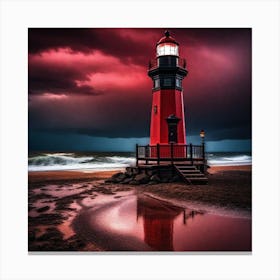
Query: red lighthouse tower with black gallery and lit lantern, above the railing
x=167, y=71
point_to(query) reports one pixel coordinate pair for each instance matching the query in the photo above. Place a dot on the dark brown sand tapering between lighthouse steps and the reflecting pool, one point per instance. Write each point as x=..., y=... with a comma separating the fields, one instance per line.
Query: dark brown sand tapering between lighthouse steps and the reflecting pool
x=228, y=186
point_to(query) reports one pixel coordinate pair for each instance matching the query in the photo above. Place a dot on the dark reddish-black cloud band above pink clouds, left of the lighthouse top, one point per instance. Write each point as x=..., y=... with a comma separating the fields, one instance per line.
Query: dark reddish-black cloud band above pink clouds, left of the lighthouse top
x=113, y=41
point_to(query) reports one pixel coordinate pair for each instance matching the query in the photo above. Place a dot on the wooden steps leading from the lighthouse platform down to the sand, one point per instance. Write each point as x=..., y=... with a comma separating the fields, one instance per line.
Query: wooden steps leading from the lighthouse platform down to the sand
x=191, y=174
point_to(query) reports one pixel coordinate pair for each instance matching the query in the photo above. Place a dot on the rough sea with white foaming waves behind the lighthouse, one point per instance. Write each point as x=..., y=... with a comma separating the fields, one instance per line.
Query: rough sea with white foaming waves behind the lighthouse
x=103, y=161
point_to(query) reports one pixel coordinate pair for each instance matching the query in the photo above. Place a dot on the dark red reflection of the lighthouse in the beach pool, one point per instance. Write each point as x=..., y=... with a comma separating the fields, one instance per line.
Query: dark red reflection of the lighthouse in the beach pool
x=158, y=219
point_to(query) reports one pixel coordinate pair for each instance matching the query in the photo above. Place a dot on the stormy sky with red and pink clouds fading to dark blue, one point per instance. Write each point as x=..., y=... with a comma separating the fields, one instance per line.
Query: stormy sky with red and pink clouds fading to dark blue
x=88, y=89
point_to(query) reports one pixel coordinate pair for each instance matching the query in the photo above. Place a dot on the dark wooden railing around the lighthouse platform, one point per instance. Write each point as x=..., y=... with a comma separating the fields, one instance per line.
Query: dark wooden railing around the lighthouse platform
x=170, y=152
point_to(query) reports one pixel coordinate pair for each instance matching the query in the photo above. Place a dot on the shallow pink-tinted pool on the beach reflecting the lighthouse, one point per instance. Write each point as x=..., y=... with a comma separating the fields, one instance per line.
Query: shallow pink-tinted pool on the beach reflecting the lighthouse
x=143, y=223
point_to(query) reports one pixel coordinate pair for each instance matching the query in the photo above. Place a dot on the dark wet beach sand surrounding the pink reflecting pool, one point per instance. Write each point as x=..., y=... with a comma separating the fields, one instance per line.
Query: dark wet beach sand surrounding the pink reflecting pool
x=60, y=203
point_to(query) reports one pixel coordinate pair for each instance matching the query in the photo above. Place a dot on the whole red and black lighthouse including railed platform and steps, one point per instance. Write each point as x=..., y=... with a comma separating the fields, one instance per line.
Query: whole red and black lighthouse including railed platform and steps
x=168, y=152
